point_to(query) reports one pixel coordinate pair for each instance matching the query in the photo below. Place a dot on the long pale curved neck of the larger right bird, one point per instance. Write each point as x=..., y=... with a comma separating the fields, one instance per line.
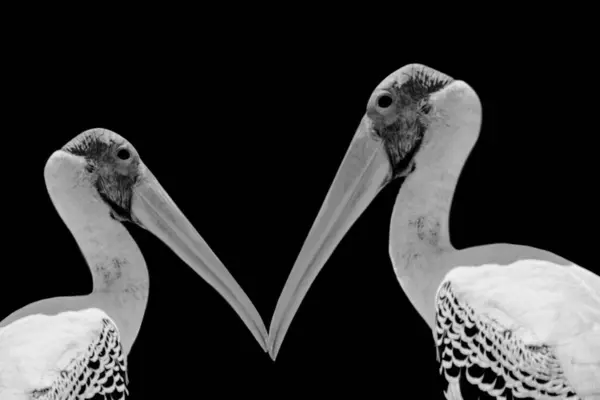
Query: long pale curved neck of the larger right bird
x=419, y=232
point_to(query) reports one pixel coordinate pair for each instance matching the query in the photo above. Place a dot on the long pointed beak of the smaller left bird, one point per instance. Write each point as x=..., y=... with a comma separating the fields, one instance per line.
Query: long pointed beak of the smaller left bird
x=156, y=212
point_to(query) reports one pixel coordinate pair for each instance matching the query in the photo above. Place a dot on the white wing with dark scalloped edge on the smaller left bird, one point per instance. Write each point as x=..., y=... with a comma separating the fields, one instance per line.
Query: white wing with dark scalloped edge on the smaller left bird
x=68, y=355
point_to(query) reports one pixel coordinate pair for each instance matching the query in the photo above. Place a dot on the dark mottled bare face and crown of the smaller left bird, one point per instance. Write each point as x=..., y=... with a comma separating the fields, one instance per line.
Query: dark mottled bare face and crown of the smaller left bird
x=114, y=167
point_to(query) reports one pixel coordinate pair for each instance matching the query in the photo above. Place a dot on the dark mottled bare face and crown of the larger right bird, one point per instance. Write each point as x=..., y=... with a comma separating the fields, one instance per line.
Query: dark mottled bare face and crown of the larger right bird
x=401, y=123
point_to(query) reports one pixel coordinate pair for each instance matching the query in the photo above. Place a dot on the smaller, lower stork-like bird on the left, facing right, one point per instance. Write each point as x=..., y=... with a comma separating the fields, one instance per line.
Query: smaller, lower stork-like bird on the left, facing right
x=77, y=347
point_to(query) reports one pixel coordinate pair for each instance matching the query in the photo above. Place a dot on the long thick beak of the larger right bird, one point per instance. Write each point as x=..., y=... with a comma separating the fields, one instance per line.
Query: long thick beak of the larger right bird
x=364, y=171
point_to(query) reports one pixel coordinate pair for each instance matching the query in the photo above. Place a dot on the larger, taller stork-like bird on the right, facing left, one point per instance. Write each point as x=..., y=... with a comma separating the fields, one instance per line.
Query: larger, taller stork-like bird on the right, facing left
x=507, y=321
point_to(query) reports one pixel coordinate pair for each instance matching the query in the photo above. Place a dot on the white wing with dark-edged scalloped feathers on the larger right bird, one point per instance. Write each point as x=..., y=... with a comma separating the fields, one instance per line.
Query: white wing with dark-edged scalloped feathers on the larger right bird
x=548, y=349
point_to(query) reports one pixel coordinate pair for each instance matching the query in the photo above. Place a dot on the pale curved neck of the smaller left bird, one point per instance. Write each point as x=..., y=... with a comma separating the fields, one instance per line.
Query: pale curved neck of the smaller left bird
x=120, y=276
